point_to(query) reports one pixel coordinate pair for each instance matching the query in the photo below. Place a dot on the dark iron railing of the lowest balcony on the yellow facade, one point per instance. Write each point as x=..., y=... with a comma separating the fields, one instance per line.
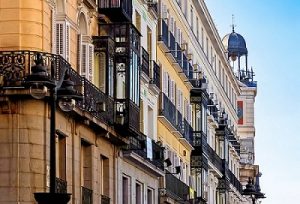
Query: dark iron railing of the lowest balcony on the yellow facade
x=175, y=187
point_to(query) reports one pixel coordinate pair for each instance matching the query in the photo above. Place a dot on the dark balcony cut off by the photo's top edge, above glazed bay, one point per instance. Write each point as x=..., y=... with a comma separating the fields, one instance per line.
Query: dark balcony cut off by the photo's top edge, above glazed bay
x=116, y=10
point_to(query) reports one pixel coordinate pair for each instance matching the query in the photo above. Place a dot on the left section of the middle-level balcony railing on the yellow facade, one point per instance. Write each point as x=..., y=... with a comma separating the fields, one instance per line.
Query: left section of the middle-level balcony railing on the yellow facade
x=168, y=109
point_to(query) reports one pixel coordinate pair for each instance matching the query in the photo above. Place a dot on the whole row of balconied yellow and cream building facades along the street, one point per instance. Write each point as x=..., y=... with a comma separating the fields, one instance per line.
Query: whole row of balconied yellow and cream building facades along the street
x=158, y=112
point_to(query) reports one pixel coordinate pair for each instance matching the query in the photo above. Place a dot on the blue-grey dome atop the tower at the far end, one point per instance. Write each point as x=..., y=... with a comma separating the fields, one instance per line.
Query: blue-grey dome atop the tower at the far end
x=235, y=44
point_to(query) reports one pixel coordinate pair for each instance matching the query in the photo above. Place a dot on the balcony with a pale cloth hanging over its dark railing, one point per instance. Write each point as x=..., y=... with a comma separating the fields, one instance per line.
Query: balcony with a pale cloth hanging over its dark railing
x=144, y=152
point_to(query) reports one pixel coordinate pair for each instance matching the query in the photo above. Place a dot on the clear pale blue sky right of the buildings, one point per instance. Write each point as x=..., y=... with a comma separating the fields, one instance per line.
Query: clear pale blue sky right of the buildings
x=272, y=32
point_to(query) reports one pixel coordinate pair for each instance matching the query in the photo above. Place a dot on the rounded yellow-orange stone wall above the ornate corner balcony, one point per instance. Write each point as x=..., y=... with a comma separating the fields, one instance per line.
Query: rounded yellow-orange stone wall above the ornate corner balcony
x=25, y=25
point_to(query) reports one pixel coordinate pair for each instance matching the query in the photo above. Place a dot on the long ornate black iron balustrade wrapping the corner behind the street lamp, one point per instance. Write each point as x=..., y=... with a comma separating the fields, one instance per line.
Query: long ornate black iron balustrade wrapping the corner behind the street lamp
x=15, y=66
